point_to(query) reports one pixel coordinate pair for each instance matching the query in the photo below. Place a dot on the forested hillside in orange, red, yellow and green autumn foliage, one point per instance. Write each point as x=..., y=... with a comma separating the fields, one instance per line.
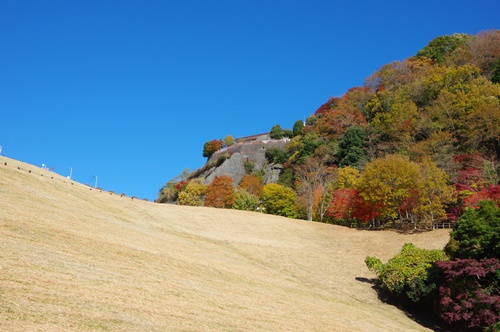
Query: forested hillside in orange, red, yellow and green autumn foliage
x=417, y=143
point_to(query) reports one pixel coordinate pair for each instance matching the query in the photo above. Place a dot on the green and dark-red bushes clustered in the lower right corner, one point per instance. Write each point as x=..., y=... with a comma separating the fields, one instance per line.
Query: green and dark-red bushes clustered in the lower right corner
x=461, y=284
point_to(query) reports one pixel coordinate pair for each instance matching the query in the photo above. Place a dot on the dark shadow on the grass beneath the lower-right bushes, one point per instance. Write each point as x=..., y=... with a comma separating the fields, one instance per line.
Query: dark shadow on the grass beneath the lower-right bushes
x=416, y=314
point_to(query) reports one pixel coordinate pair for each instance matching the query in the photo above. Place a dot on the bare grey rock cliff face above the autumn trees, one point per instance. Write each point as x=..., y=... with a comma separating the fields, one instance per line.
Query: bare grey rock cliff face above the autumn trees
x=245, y=152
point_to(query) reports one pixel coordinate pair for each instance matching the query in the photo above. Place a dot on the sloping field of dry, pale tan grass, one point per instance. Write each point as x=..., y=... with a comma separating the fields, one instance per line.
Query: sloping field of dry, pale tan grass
x=73, y=258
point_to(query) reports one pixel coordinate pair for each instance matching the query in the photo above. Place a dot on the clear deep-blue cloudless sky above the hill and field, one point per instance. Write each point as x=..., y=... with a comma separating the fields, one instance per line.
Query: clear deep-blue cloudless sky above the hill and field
x=131, y=90
